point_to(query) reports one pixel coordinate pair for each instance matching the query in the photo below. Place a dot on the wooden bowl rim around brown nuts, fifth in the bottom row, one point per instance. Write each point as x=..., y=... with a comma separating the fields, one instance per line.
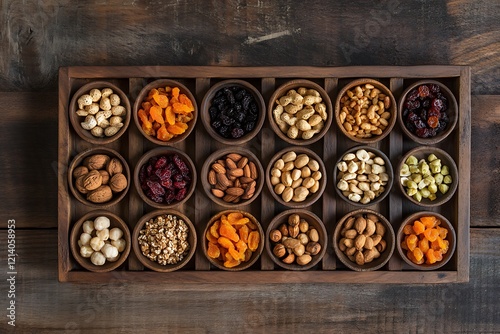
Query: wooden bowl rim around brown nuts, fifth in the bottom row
x=376, y=263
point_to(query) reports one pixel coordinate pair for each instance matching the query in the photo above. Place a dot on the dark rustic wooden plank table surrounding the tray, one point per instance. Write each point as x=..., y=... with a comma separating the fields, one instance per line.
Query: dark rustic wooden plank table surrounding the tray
x=38, y=38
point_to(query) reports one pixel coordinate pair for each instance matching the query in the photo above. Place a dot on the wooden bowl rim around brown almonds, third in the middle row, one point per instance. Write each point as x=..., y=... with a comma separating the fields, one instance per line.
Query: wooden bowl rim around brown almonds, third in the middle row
x=221, y=154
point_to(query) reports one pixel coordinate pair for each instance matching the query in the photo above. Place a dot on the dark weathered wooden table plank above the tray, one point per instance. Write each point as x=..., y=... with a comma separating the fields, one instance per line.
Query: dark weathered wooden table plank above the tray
x=39, y=37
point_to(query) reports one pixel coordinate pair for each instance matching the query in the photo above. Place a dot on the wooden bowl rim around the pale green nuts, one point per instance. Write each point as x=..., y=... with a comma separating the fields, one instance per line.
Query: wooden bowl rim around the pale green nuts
x=441, y=199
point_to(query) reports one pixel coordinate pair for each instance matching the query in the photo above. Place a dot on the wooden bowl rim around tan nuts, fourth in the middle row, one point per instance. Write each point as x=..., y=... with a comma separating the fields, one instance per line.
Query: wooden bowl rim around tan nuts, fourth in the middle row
x=312, y=198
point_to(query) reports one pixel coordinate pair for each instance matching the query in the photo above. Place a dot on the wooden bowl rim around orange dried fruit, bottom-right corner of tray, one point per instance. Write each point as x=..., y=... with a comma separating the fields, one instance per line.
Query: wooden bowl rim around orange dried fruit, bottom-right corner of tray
x=451, y=237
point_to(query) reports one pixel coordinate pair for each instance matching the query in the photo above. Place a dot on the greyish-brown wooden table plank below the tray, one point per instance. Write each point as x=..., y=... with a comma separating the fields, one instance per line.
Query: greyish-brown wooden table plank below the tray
x=46, y=306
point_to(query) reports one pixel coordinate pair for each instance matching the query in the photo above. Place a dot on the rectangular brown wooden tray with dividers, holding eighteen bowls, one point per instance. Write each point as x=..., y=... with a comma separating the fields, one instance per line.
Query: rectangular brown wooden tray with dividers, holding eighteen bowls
x=330, y=208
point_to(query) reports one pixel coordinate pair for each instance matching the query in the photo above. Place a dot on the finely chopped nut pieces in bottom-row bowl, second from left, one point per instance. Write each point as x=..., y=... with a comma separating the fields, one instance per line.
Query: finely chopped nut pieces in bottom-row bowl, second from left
x=164, y=239
